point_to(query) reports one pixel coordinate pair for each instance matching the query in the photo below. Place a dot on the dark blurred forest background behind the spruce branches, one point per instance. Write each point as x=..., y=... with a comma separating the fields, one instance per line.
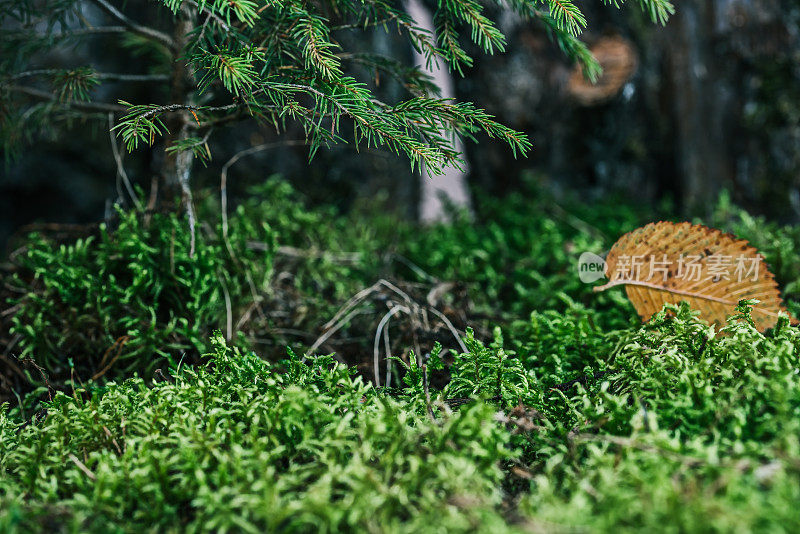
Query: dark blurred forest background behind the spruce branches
x=714, y=104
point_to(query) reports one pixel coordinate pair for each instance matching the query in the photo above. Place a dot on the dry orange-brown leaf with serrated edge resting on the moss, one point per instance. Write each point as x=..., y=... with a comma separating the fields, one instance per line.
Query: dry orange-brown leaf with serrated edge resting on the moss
x=709, y=269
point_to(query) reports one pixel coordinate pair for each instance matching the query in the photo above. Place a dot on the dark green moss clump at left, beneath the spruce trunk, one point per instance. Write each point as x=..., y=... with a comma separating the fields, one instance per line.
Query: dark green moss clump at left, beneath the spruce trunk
x=131, y=299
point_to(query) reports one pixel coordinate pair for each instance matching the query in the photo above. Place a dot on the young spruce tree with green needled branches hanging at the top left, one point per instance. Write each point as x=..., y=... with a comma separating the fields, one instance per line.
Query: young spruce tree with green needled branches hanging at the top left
x=218, y=62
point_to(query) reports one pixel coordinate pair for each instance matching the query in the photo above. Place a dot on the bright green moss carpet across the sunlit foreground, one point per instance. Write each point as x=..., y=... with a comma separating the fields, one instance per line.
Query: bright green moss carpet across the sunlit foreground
x=685, y=430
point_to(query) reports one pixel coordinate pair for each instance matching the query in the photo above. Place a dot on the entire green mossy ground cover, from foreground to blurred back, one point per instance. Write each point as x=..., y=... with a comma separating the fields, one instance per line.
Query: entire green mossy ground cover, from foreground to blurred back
x=129, y=410
